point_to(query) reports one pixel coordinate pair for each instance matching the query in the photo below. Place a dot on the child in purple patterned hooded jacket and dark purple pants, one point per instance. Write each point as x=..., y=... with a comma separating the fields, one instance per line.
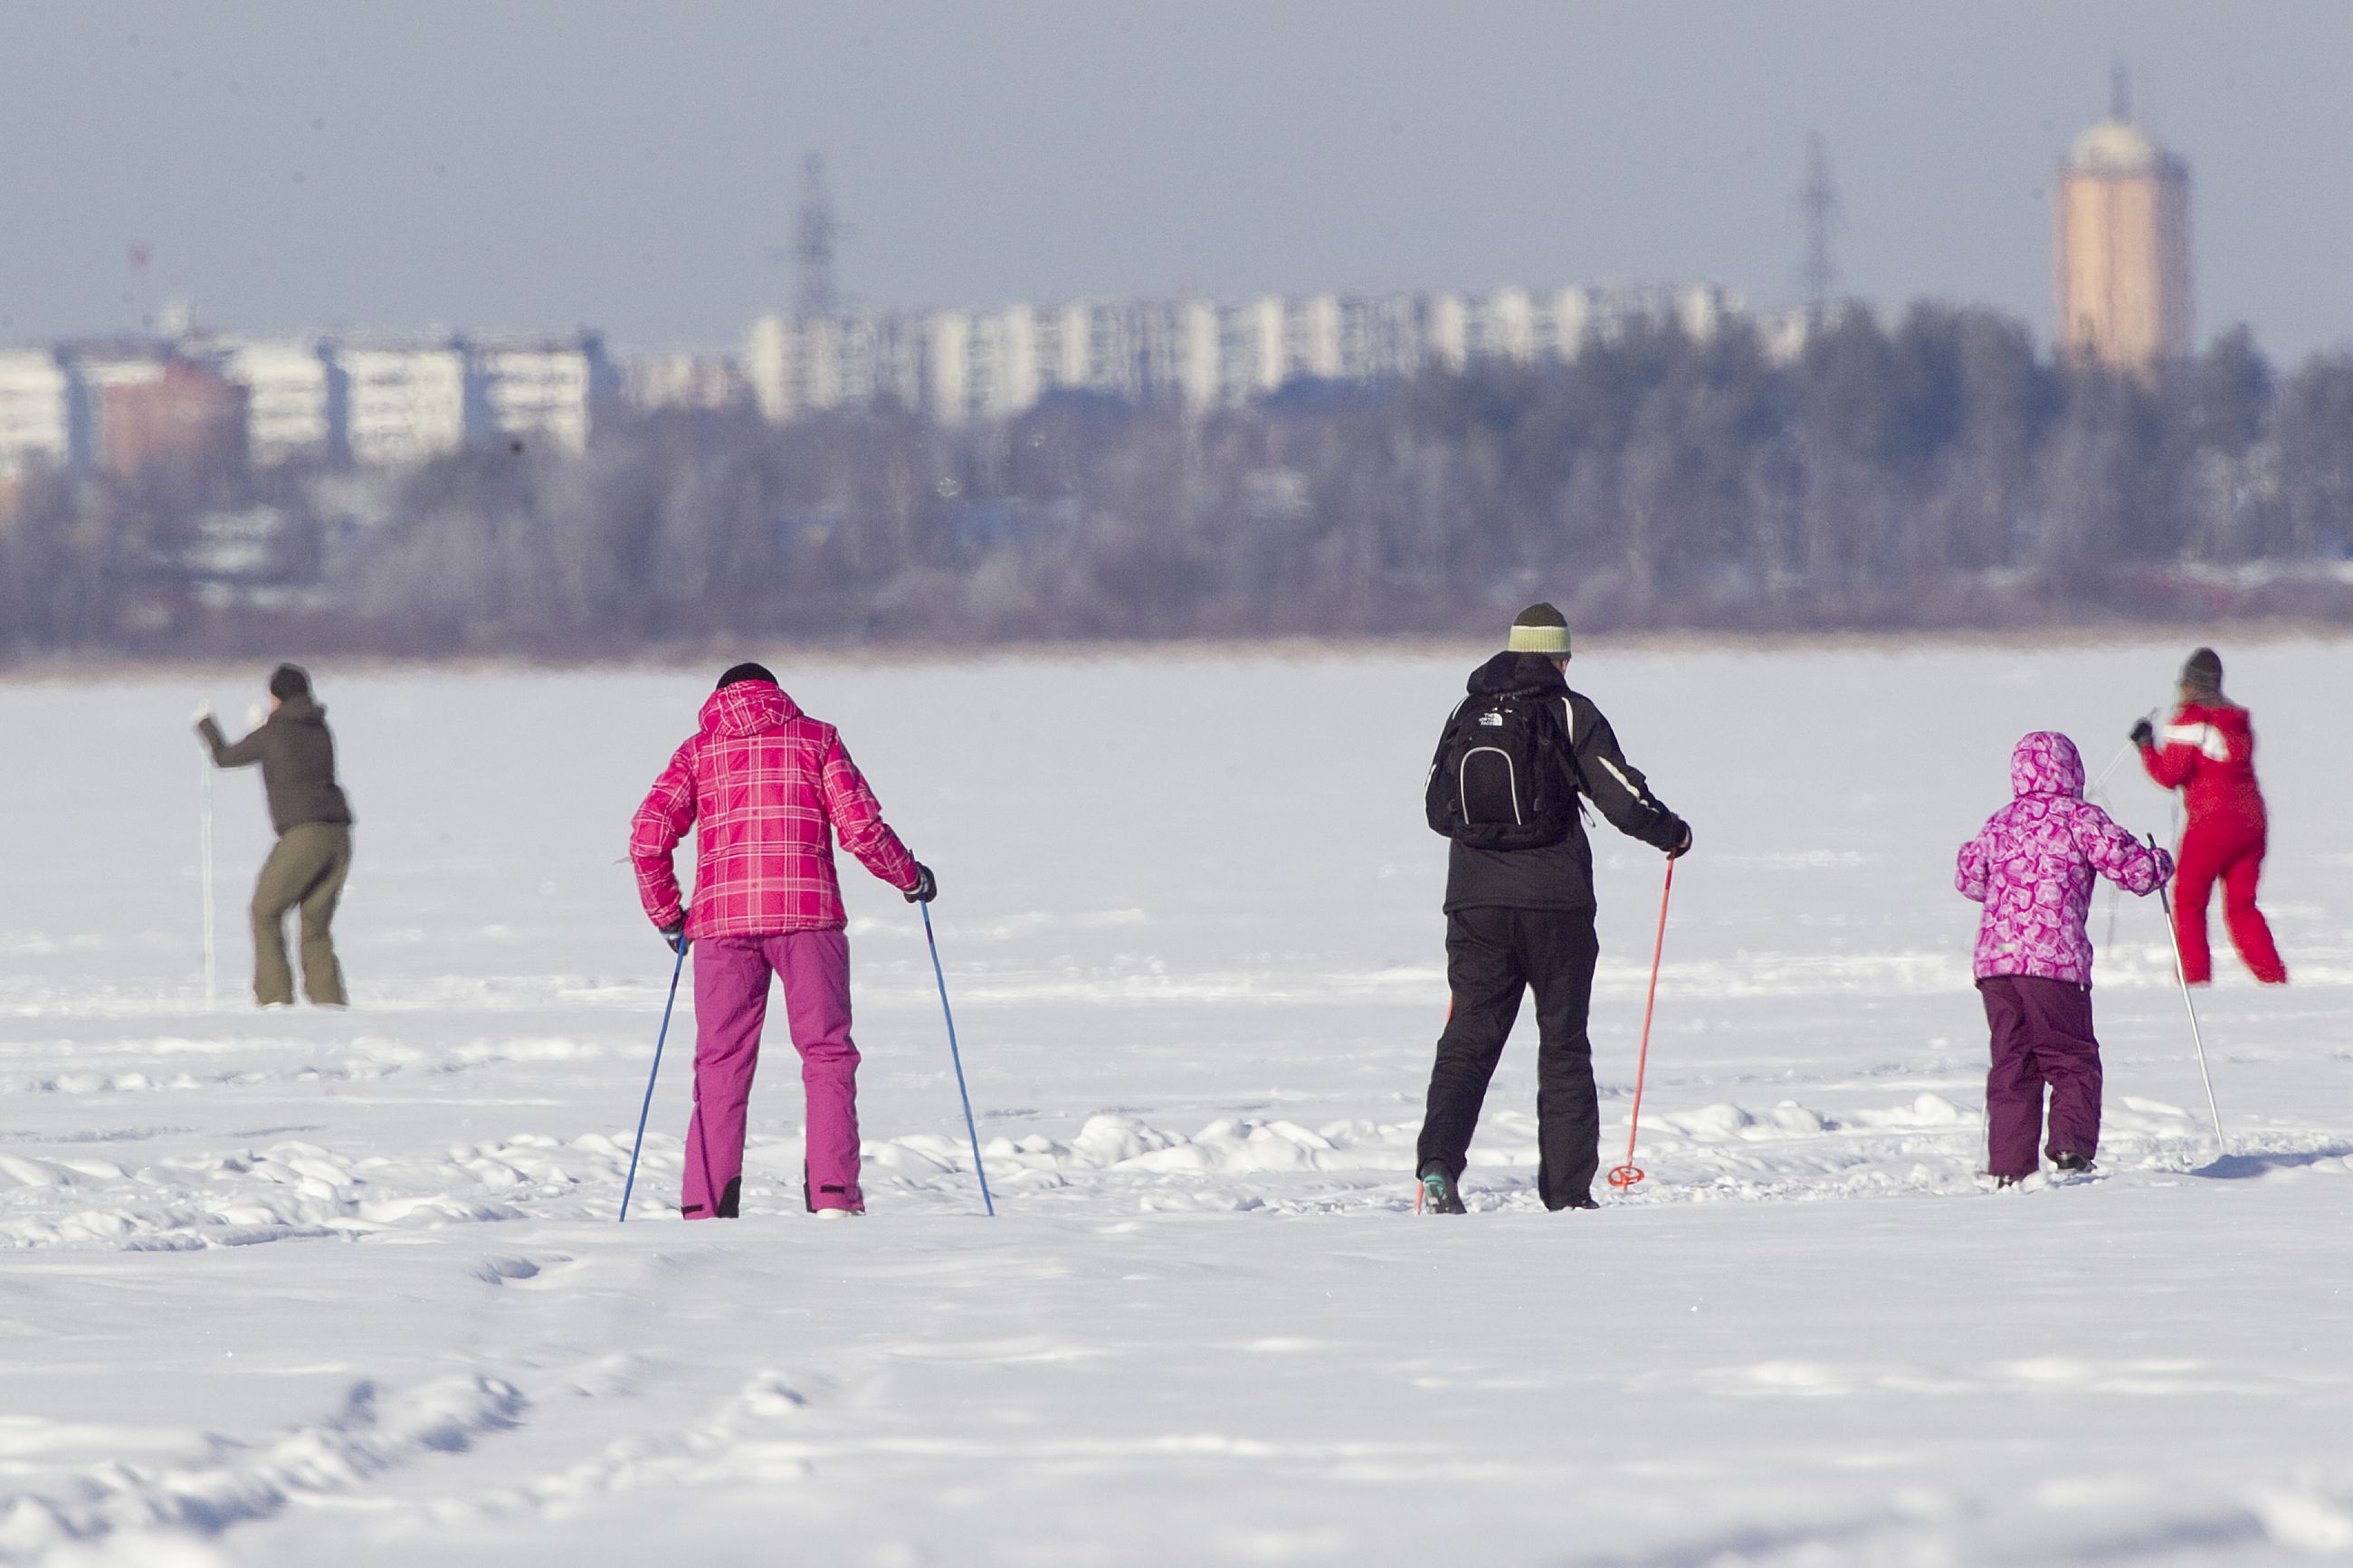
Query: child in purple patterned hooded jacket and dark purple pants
x=2034, y=869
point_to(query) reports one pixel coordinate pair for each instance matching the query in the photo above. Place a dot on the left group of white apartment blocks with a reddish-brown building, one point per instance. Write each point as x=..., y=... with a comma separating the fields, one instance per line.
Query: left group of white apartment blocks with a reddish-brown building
x=375, y=401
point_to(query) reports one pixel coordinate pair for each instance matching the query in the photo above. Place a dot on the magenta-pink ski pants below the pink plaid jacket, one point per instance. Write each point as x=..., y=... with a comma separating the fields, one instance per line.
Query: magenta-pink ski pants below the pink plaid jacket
x=731, y=1005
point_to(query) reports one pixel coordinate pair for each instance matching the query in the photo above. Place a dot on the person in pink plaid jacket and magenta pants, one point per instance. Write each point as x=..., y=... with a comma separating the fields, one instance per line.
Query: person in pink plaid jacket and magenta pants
x=766, y=789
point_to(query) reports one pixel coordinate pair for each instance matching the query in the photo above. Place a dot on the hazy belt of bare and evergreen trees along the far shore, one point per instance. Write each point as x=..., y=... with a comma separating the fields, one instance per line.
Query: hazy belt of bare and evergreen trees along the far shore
x=1926, y=474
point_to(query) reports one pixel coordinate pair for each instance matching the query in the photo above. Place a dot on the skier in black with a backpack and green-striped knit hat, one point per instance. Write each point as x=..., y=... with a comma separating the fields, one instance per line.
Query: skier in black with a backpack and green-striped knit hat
x=1514, y=770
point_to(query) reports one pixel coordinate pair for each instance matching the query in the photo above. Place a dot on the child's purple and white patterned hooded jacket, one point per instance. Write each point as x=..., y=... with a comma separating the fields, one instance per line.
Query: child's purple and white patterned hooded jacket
x=2034, y=866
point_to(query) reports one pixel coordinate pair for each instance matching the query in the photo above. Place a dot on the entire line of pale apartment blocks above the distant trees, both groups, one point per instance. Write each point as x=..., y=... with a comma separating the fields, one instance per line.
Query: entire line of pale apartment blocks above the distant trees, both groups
x=382, y=401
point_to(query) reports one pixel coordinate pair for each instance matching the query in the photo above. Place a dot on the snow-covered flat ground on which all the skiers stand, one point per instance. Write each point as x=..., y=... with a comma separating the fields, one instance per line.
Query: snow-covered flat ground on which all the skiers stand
x=347, y=1287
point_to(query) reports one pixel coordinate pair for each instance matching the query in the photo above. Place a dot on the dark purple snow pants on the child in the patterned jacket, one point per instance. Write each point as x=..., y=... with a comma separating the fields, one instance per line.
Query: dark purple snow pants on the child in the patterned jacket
x=2041, y=1038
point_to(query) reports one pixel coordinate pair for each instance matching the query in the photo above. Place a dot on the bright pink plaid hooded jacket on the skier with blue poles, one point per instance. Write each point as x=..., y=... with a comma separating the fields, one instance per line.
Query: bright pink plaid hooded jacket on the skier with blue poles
x=766, y=789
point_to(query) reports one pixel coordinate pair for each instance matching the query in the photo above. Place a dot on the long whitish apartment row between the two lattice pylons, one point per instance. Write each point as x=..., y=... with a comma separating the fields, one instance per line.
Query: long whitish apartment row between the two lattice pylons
x=964, y=366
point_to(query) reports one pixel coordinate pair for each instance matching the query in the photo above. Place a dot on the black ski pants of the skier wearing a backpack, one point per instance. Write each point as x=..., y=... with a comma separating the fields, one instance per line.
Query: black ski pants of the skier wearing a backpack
x=1493, y=956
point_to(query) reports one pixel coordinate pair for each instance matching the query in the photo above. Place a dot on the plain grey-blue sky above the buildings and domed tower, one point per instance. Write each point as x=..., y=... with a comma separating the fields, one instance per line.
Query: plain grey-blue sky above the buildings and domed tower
x=559, y=163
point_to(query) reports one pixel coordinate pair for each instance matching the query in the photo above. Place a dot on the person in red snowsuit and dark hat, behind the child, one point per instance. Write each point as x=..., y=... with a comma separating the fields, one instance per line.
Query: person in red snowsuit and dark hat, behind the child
x=2208, y=753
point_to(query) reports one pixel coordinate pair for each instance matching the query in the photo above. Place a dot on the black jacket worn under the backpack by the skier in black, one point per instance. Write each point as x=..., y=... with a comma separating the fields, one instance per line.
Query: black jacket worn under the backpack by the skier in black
x=1559, y=876
